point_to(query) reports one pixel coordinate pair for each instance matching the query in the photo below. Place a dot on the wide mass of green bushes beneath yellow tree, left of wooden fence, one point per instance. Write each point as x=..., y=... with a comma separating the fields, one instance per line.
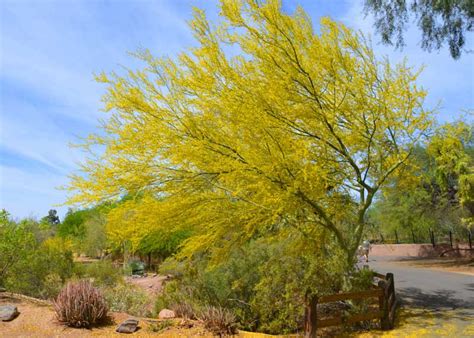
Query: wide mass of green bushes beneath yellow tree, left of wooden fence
x=263, y=283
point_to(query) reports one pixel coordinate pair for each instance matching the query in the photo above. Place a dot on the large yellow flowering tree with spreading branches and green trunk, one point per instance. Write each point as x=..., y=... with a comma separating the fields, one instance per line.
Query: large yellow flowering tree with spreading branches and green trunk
x=264, y=123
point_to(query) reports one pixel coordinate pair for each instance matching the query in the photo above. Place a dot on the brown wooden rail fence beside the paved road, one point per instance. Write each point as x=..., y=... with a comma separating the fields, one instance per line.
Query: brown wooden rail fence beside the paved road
x=383, y=292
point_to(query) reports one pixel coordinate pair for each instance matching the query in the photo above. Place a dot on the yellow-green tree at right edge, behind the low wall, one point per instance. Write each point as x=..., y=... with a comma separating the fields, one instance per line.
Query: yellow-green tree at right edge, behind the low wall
x=434, y=193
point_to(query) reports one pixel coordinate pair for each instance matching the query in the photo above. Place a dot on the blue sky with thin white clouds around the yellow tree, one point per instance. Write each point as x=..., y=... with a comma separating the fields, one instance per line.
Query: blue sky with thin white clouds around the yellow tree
x=50, y=49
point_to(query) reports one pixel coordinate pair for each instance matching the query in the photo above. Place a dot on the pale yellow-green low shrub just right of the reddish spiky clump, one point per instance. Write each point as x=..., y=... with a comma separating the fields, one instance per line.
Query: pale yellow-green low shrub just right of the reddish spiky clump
x=128, y=298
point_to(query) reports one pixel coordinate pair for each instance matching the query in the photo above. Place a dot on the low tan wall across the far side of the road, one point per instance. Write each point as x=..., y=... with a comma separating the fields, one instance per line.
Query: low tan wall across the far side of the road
x=419, y=250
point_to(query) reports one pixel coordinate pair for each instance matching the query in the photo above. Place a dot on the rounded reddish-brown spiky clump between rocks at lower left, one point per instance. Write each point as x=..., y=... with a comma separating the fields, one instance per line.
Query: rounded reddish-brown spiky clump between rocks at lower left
x=80, y=304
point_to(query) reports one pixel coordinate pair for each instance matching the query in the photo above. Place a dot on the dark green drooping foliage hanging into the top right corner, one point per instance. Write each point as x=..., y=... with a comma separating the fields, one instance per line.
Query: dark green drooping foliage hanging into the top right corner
x=440, y=22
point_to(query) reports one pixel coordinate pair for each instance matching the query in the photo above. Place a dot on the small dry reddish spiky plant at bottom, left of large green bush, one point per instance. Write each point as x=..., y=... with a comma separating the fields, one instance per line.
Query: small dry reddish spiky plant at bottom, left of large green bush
x=218, y=320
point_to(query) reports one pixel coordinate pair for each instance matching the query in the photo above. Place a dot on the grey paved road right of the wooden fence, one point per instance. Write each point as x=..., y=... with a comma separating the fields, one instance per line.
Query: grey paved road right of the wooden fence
x=430, y=289
